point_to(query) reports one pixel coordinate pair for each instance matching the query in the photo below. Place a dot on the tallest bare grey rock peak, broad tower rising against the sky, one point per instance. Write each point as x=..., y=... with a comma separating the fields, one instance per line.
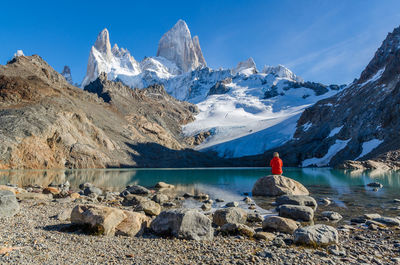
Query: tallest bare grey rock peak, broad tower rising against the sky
x=178, y=46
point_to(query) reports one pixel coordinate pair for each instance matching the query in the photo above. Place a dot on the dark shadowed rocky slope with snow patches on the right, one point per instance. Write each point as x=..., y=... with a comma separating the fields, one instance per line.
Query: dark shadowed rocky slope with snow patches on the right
x=360, y=123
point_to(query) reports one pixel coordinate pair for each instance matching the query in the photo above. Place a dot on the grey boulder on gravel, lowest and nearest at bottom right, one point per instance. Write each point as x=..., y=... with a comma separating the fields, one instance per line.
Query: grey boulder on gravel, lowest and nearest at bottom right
x=316, y=235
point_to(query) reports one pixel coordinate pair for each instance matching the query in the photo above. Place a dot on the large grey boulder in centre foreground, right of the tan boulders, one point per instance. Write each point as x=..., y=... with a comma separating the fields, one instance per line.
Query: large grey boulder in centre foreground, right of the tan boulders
x=183, y=224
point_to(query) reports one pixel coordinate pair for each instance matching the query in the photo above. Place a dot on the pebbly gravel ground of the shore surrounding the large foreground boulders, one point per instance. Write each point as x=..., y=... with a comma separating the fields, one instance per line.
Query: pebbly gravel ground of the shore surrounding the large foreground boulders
x=40, y=234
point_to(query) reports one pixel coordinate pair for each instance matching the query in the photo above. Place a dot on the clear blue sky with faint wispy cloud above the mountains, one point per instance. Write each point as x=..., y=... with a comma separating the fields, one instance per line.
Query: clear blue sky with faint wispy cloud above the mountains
x=320, y=40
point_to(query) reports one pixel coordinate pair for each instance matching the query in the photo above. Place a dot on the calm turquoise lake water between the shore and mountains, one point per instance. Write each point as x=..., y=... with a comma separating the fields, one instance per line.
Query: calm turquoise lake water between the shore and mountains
x=347, y=189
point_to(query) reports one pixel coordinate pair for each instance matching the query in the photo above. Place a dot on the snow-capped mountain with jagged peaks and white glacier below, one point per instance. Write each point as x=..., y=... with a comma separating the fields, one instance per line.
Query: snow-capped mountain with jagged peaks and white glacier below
x=243, y=111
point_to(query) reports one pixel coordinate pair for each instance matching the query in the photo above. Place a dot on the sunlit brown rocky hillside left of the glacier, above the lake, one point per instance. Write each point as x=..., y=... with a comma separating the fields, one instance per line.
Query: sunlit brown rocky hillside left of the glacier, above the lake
x=47, y=123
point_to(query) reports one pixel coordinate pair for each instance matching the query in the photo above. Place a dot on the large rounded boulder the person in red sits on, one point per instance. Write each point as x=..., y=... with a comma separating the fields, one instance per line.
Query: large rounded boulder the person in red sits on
x=276, y=185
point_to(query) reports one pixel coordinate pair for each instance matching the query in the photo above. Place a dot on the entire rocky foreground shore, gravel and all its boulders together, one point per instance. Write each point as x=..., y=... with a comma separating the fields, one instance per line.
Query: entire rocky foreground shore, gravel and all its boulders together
x=59, y=224
